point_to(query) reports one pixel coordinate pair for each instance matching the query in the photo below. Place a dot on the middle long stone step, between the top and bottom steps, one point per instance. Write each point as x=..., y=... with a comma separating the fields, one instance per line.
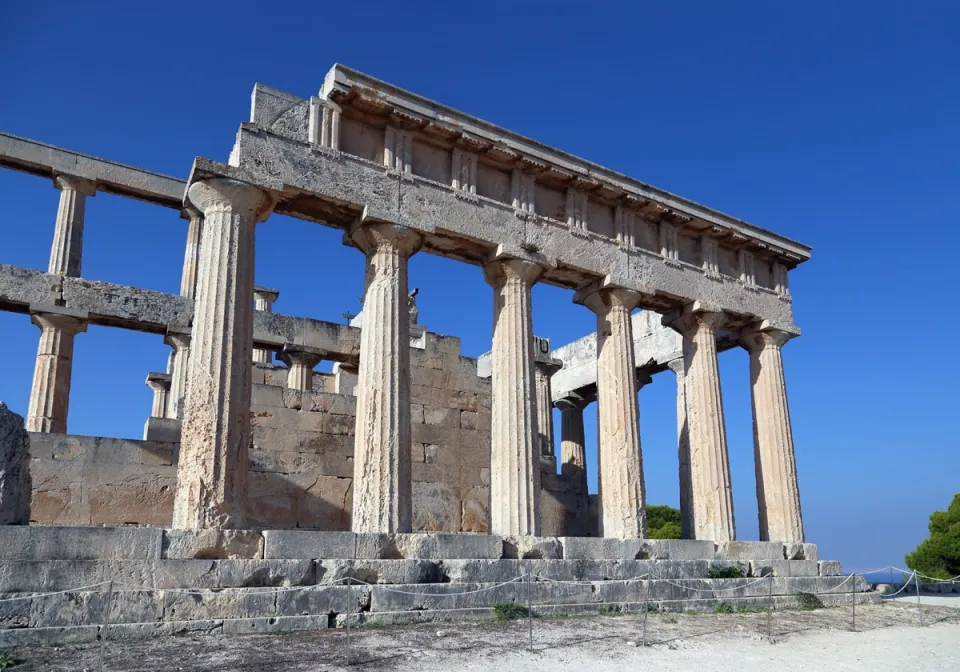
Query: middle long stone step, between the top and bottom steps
x=53, y=575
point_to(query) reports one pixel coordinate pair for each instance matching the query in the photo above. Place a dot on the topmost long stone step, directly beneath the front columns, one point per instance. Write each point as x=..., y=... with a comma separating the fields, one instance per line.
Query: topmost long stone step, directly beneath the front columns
x=23, y=543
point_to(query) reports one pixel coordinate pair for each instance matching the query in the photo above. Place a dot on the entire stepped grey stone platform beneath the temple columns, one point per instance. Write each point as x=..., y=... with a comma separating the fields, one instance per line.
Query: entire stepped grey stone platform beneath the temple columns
x=70, y=584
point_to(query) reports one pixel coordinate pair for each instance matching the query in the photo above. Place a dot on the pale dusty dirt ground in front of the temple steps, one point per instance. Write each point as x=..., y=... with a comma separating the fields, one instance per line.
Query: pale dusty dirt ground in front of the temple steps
x=888, y=637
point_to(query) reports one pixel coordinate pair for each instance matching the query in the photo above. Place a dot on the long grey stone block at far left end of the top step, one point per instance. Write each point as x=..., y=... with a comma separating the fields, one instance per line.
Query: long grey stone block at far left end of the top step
x=79, y=543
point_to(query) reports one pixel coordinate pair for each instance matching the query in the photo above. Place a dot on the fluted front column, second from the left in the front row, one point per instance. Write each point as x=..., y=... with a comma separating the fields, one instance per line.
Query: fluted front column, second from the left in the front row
x=382, y=489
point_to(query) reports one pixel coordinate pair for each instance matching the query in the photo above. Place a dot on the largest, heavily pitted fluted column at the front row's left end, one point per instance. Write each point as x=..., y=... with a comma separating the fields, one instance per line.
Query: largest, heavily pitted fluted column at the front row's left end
x=215, y=435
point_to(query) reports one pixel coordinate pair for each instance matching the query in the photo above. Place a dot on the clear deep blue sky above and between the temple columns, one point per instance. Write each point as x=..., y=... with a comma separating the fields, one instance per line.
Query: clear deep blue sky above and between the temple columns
x=835, y=124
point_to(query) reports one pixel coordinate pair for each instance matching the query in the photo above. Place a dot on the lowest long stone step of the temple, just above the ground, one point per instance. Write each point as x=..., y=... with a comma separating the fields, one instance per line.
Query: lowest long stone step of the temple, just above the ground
x=122, y=605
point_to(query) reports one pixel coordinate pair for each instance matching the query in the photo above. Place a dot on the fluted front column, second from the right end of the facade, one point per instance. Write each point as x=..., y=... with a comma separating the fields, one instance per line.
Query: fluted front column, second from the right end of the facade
x=712, y=494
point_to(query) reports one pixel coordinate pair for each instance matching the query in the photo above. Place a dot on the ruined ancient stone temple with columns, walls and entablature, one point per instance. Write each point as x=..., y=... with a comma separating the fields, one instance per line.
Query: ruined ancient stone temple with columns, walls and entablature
x=407, y=449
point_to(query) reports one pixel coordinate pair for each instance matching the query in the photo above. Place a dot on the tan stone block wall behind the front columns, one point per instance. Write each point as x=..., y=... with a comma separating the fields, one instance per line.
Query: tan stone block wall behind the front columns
x=301, y=458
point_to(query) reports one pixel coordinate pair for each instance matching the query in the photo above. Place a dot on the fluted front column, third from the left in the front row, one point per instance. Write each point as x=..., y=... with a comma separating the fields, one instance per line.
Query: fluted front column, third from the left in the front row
x=514, y=442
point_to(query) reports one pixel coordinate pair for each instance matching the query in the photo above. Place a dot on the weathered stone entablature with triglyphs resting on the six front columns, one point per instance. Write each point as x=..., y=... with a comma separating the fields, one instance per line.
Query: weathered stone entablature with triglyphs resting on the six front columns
x=669, y=258
